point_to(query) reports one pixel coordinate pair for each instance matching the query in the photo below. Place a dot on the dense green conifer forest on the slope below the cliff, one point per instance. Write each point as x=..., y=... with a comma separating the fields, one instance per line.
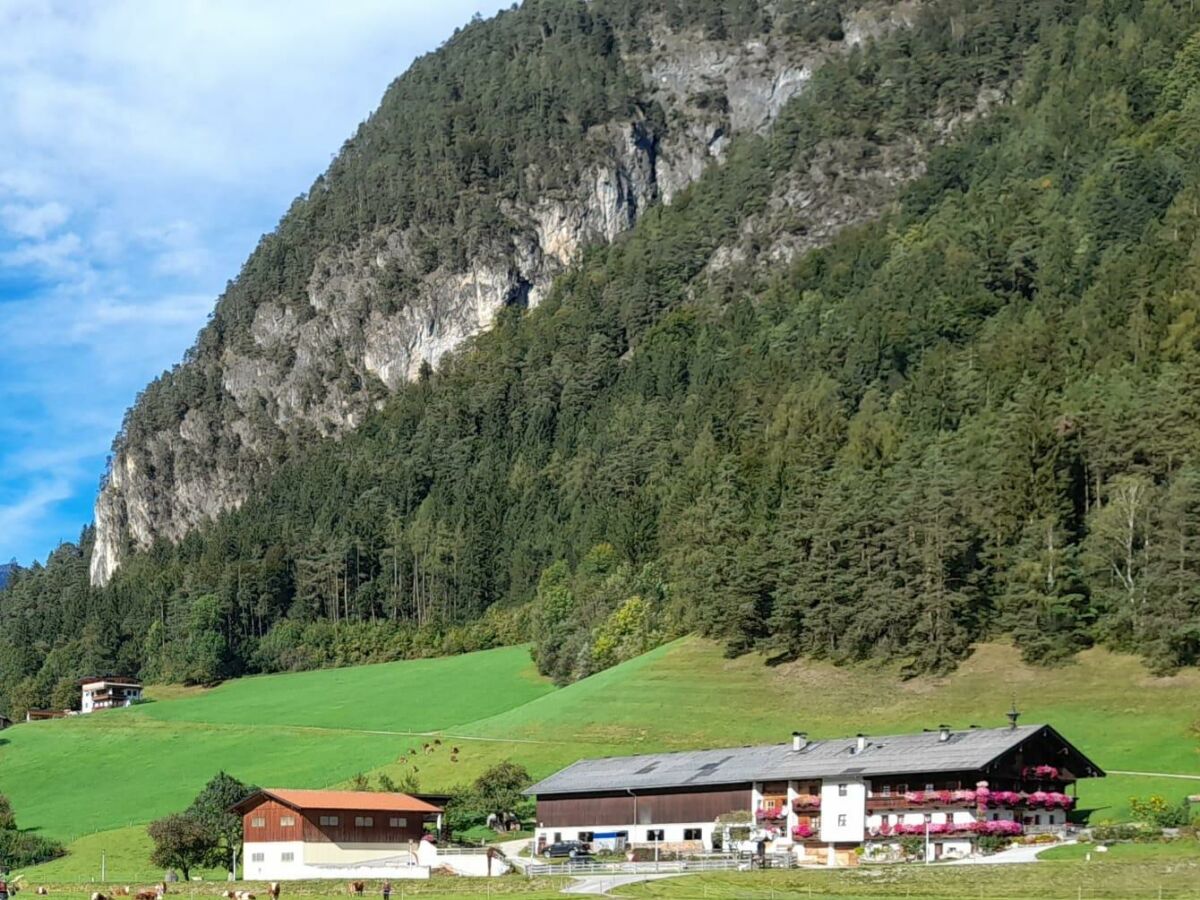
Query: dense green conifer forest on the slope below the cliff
x=977, y=417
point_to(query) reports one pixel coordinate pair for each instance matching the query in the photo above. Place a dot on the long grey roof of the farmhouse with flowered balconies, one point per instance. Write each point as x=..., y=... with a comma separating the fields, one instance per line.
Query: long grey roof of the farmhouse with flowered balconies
x=889, y=755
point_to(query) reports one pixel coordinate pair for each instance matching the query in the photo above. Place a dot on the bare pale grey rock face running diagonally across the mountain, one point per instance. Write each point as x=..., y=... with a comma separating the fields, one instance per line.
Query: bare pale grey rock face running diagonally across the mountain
x=319, y=368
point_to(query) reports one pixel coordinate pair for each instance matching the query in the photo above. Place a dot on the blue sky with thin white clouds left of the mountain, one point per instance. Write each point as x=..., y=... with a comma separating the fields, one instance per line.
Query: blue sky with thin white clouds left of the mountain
x=145, y=147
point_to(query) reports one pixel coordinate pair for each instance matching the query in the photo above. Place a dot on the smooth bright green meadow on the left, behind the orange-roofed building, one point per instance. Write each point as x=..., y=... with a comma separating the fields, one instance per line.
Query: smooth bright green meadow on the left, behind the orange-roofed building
x=75, y=777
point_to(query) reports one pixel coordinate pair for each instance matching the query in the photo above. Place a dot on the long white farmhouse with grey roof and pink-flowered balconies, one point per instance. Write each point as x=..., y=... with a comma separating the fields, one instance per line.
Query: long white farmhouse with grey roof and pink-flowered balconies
x=823, y=800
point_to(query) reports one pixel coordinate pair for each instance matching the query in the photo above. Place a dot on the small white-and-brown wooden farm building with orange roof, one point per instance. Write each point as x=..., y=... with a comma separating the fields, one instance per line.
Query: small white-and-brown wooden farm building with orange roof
x=327, y=835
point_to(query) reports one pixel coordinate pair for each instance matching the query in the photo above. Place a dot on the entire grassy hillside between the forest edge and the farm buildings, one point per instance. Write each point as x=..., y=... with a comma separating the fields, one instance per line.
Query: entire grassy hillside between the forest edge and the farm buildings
x=321, y=729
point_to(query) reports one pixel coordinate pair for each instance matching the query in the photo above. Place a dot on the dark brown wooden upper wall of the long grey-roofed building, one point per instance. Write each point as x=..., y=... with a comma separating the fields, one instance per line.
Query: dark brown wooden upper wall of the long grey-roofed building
x=653, y=808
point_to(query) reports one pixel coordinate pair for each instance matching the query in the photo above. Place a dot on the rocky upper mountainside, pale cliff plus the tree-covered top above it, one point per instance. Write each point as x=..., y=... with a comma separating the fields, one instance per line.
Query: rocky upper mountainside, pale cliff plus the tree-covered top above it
x=488, y=169
